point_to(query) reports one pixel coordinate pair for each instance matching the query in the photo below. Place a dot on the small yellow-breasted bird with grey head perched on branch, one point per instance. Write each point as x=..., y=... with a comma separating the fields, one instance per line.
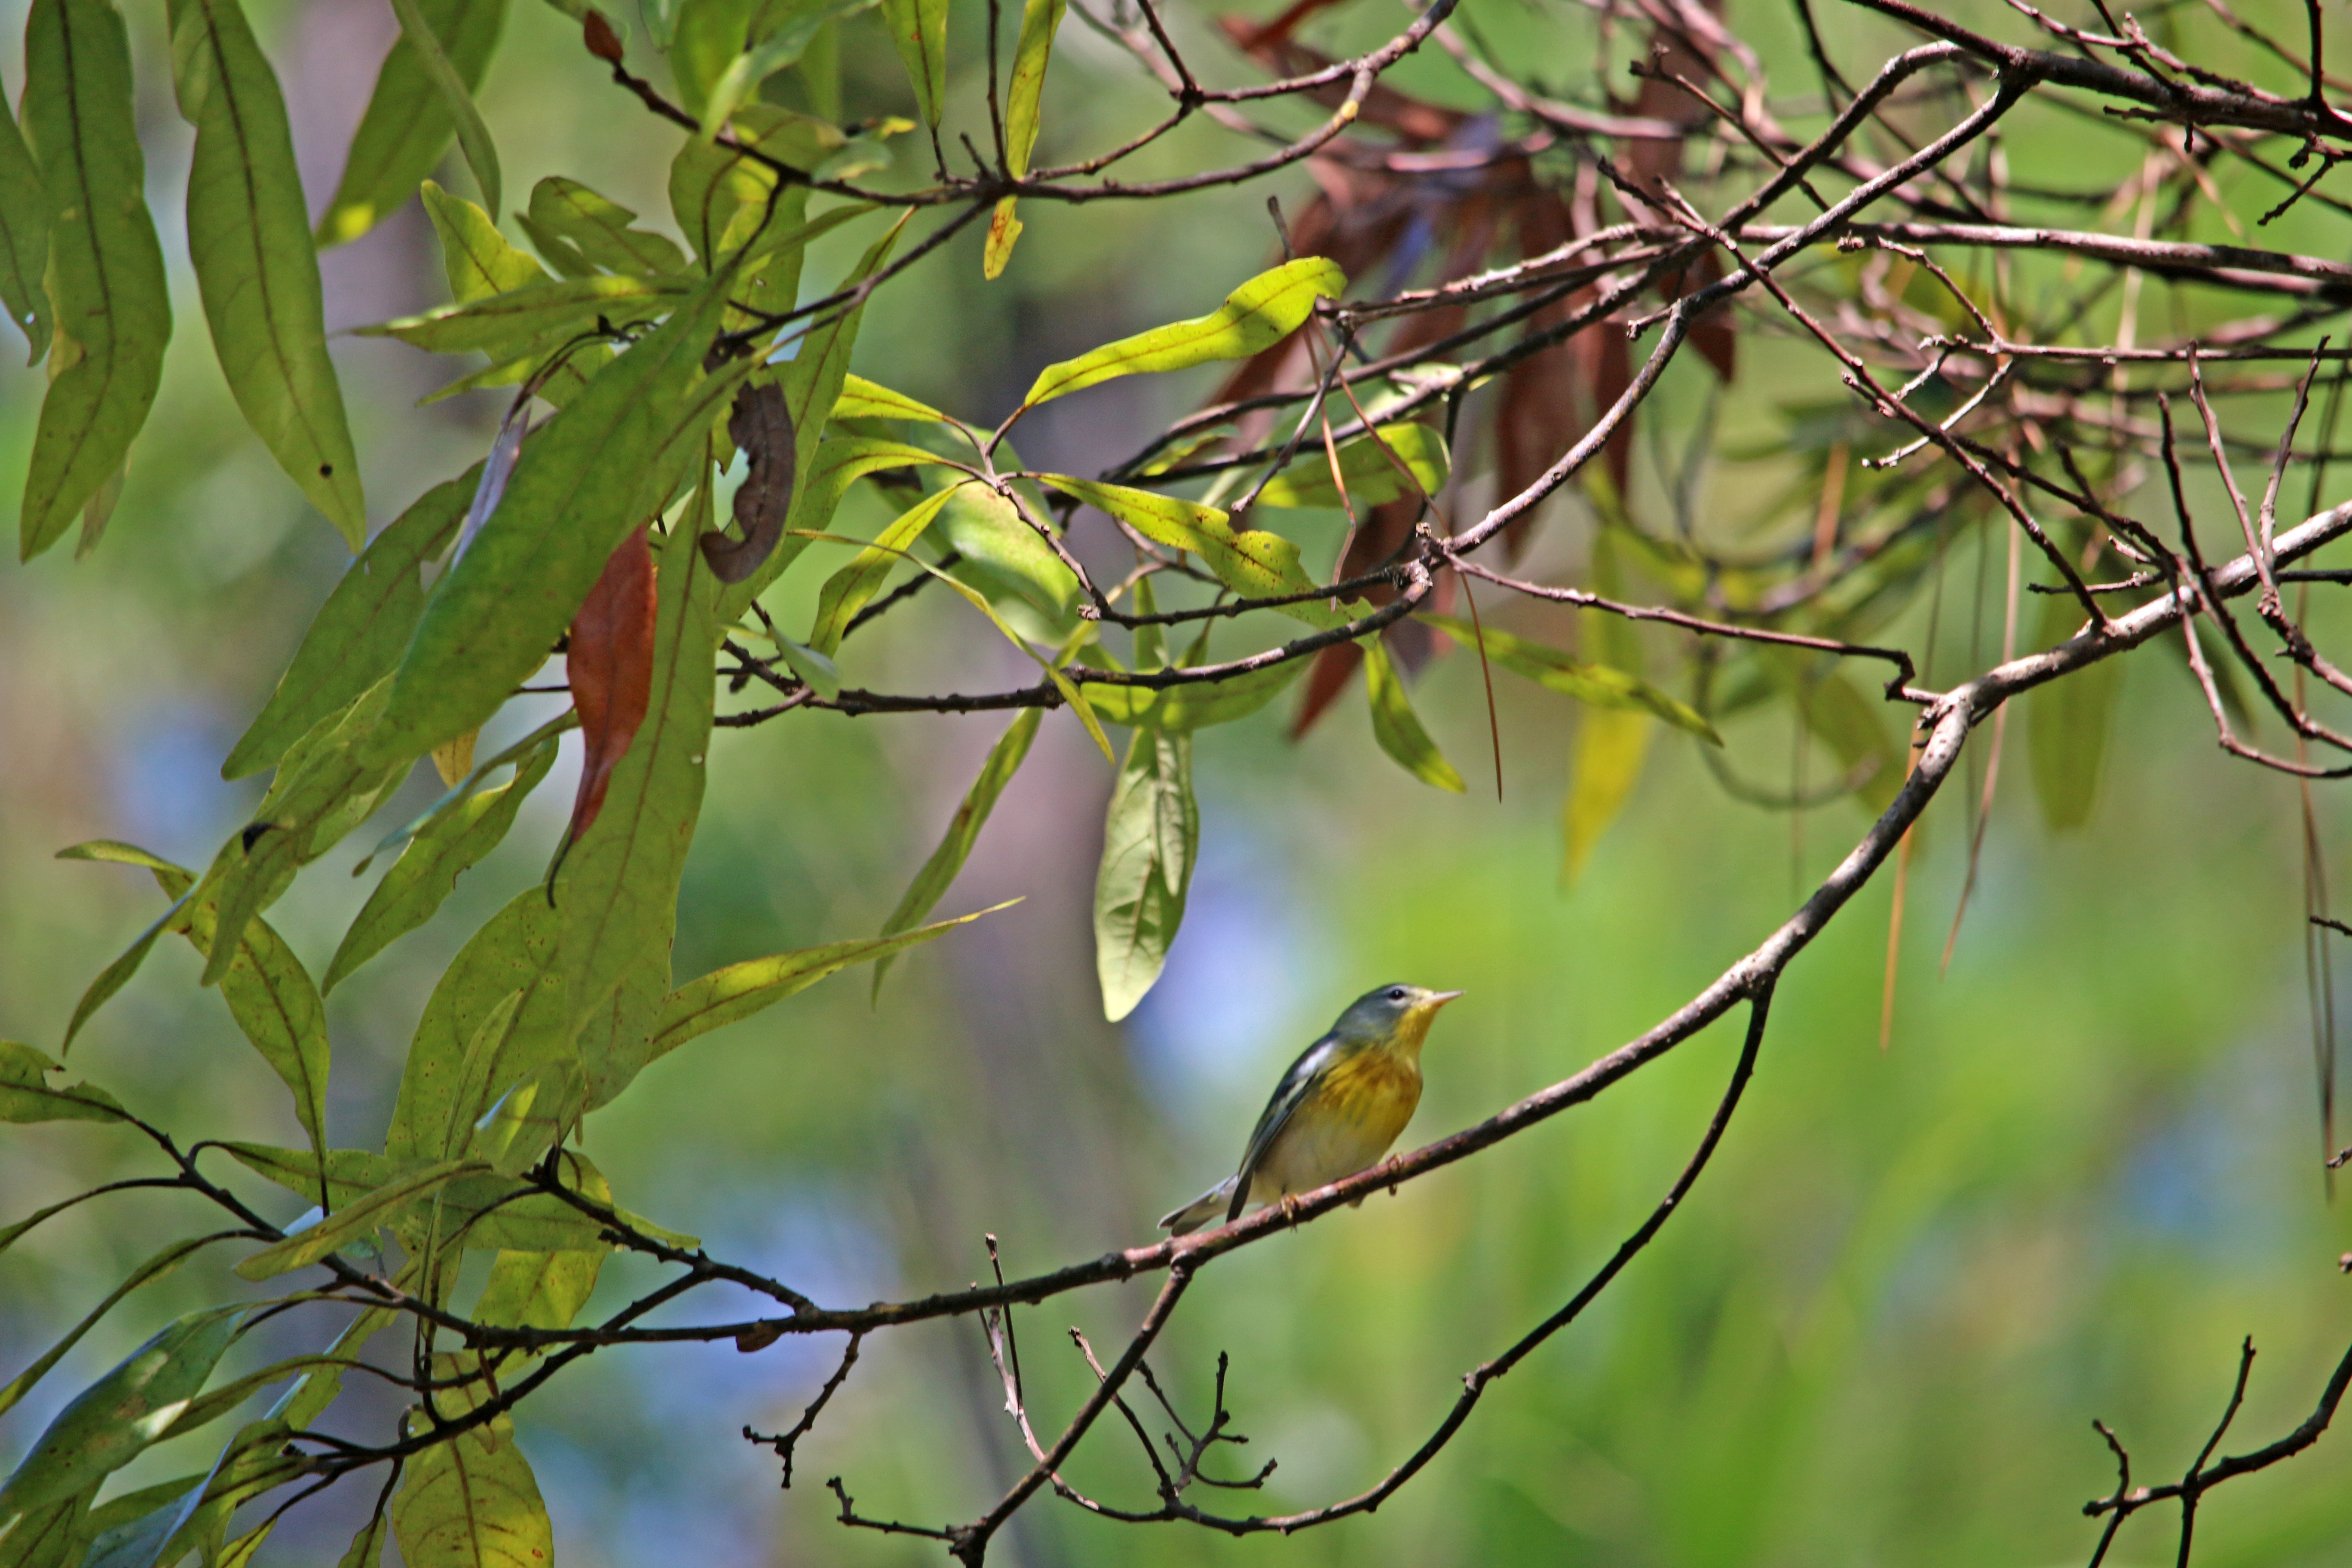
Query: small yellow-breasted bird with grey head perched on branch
x=1335, y=1113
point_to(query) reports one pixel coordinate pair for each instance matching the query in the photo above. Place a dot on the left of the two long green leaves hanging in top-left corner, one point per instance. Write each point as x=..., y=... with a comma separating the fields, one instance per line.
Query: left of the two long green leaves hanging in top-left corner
x=107, y=281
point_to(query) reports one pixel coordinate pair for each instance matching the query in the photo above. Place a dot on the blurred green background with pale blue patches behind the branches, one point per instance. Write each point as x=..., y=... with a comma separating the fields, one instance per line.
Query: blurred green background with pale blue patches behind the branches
x=1878, y=1332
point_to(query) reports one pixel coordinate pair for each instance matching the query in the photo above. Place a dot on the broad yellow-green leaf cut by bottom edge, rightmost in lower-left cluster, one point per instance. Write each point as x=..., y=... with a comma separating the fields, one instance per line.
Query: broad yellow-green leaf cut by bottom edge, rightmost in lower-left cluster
x=472, y=1501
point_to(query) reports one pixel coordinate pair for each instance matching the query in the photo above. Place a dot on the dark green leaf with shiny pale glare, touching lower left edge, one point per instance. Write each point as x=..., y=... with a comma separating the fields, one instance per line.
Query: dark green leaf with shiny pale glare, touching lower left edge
x=121, y=1414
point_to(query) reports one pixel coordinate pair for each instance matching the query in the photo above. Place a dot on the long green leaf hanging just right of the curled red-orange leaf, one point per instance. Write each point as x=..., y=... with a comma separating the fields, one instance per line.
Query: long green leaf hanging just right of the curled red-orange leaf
x=620, y=885
